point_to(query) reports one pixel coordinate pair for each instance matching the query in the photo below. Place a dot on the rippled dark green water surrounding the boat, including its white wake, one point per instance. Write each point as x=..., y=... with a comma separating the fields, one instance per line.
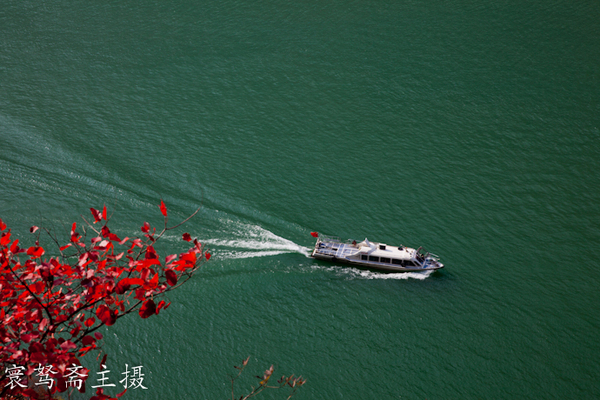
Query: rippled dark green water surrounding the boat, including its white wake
x=472, y=129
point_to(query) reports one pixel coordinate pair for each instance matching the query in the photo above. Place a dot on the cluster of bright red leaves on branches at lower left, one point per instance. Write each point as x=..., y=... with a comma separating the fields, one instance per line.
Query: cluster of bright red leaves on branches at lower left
x=52, y=305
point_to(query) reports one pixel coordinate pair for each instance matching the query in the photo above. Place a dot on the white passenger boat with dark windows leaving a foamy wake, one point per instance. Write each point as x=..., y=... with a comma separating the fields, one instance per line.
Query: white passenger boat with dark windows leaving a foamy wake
x=374, y=255
